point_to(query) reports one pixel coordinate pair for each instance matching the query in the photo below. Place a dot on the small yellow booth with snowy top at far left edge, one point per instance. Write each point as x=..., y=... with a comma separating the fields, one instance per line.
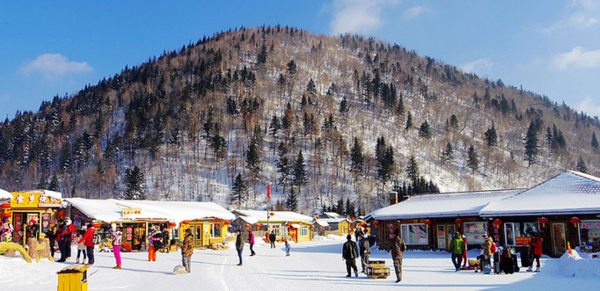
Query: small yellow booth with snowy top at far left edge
x=37, y=206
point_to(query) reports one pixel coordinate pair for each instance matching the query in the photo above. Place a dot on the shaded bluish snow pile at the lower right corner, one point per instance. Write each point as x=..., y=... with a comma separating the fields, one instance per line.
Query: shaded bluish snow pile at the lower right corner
x=573, y=266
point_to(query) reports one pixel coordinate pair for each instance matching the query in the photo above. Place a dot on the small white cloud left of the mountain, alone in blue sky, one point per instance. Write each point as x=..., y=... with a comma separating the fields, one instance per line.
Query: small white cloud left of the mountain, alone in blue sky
x=54, y=66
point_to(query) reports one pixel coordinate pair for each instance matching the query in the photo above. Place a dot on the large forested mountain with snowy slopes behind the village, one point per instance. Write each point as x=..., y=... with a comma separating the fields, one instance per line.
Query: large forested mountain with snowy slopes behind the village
x=323, y=120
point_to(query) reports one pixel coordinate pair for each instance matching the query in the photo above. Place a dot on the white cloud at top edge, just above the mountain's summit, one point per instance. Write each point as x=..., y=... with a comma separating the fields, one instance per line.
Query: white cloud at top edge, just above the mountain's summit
x=358, y=16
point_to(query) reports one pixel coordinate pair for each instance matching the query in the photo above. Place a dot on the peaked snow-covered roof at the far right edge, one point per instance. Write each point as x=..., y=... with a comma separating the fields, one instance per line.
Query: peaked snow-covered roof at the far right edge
x=568, y=193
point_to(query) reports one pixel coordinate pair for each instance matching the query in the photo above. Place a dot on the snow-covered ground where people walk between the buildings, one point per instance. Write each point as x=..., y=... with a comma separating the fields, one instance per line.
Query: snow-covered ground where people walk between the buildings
x=316, y=265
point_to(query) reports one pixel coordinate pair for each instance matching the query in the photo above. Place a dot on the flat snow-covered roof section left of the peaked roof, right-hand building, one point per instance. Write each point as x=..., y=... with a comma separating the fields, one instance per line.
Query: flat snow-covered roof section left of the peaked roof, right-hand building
x=441, y=205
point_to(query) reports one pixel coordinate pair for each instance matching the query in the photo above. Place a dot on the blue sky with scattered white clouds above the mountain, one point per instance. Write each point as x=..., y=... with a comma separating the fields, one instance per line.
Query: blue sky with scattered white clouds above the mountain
x=50, y=48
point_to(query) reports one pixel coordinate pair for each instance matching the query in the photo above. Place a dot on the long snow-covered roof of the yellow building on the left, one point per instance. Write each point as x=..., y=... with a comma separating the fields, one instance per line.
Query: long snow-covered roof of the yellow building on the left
x=110, y=210
